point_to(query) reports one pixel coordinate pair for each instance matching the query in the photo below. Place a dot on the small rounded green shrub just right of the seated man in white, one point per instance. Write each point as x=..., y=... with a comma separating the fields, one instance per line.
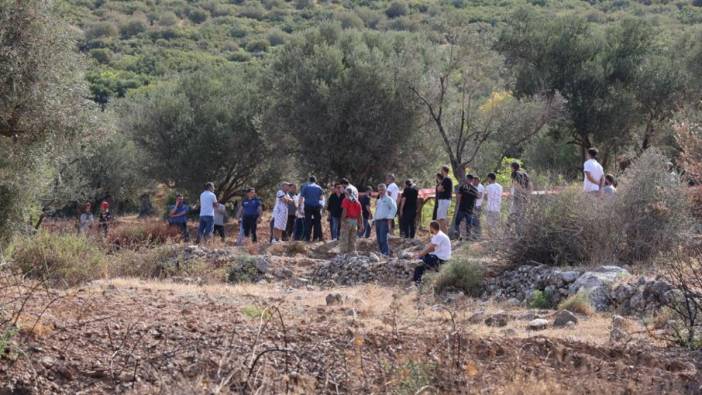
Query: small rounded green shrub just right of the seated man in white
x=462, y=274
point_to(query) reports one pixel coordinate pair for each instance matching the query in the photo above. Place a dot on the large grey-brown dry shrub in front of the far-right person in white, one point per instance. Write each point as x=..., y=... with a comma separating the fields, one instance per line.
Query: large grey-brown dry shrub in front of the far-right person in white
x=649, y=214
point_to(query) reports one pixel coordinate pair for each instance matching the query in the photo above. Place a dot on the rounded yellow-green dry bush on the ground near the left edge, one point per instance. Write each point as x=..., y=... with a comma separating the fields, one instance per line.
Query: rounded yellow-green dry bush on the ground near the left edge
x=58, y=259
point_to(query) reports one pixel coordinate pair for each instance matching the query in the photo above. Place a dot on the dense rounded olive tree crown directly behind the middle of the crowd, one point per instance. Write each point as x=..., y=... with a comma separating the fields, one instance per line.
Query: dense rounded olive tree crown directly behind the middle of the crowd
x=332, y=88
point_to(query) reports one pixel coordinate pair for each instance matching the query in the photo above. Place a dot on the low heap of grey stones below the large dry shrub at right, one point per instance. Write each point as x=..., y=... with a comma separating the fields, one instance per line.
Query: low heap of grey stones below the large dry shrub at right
x=607, y=287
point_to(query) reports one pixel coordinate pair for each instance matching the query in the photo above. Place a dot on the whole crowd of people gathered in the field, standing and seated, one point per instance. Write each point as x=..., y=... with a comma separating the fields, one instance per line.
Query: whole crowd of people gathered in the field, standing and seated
x=298, y=213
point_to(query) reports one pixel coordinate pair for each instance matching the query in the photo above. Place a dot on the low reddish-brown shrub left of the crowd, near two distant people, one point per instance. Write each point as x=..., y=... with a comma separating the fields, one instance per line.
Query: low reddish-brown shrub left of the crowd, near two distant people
x=141, y=234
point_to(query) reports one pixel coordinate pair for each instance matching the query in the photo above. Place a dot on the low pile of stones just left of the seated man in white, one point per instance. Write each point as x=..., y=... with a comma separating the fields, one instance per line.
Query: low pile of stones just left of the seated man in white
x=349, y=269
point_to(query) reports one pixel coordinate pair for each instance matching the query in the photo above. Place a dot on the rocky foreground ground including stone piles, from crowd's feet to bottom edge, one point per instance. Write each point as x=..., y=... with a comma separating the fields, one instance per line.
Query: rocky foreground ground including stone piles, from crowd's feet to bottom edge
x=315, y=322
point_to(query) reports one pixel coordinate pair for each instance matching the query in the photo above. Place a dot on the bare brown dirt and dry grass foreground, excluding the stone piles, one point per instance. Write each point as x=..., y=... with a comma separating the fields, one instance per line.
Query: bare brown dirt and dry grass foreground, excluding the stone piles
x=133, y=336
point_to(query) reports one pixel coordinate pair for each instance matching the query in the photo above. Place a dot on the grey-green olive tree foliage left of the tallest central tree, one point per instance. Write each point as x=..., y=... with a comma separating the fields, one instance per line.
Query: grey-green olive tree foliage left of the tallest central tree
x=198, y=128
